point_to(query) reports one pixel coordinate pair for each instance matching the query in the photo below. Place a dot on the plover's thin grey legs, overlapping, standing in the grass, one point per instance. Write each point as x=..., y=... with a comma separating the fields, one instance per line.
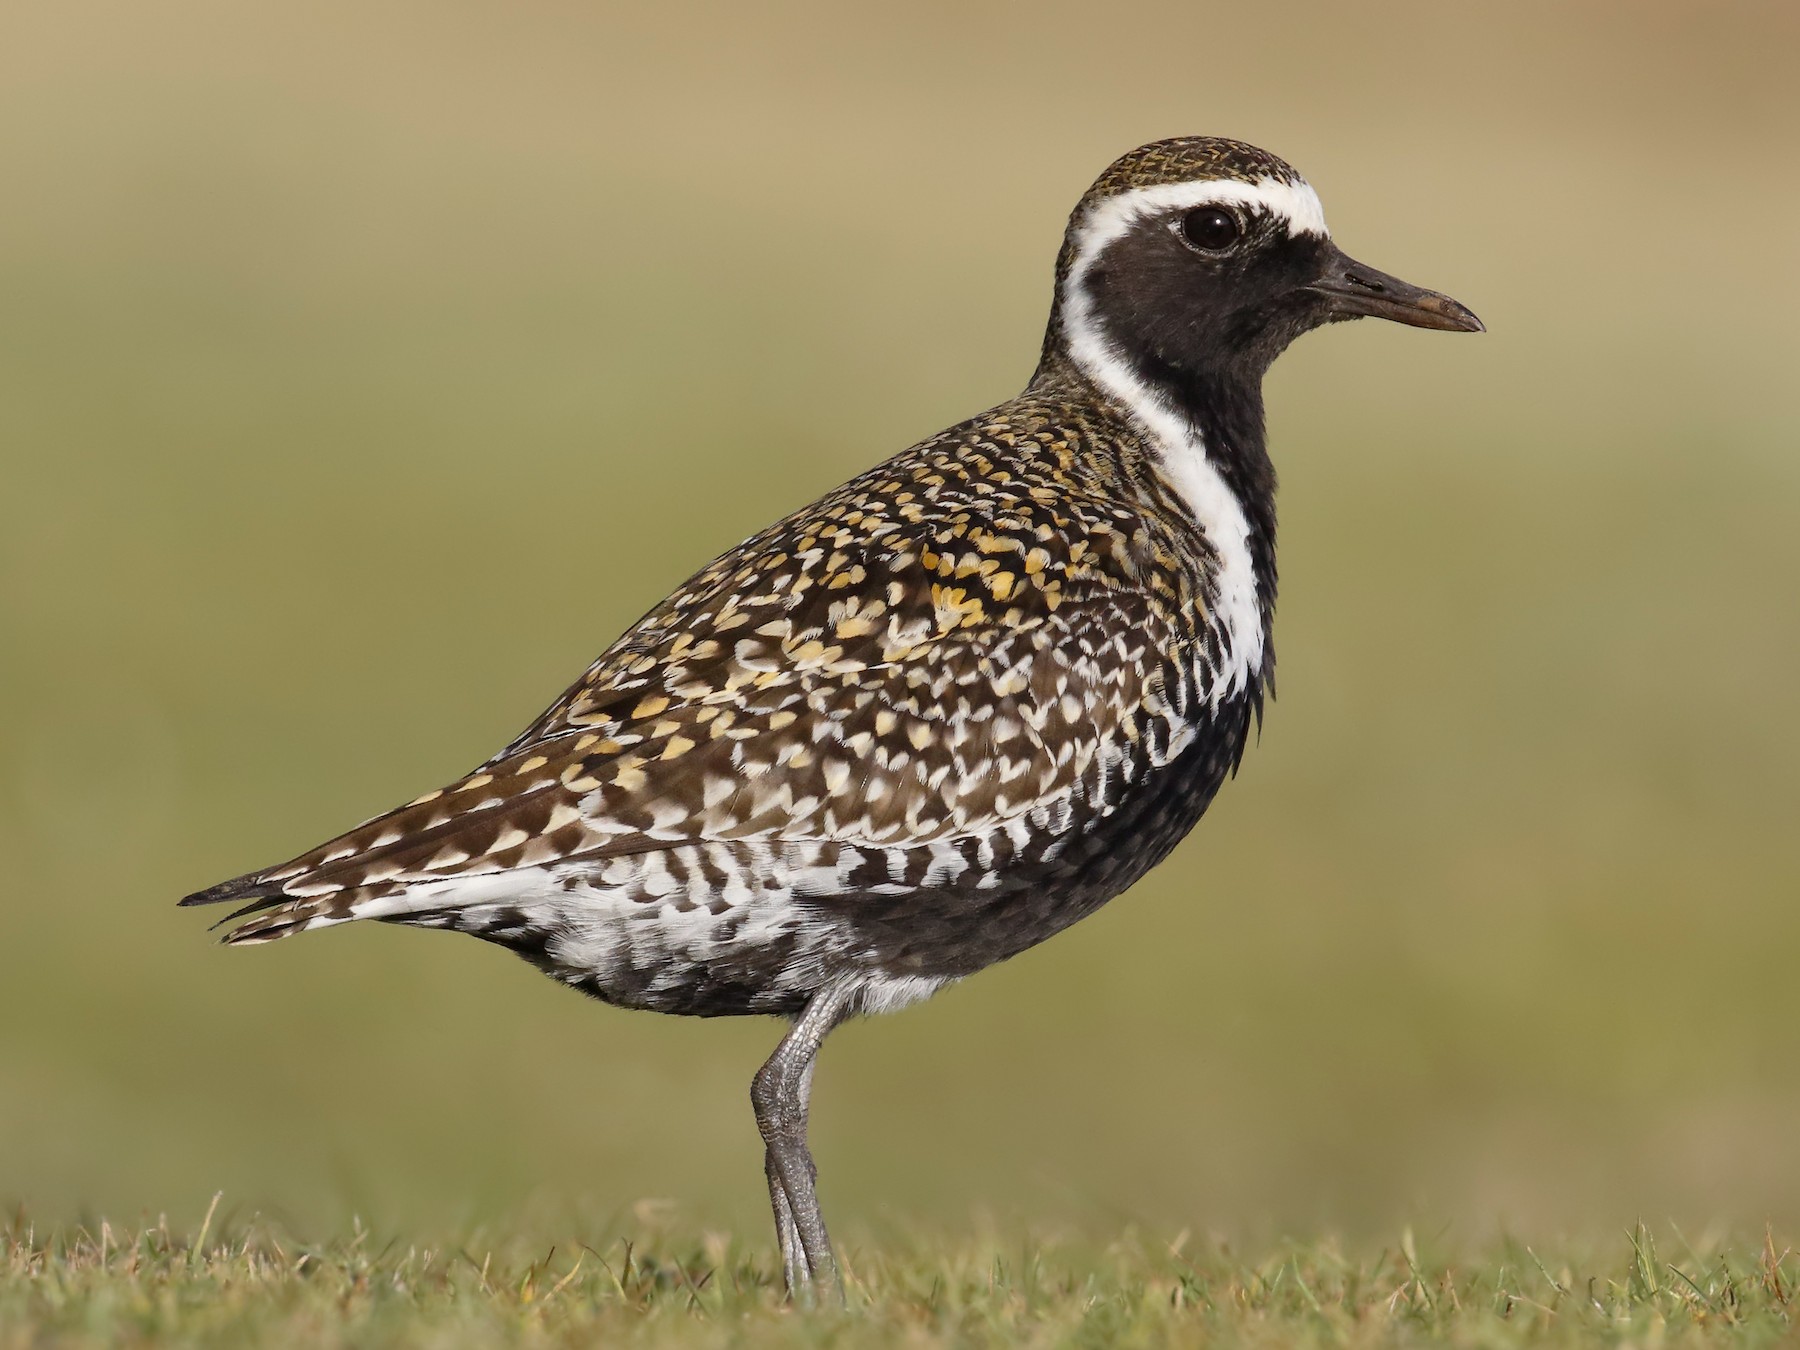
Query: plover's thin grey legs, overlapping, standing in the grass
x=780, y=1093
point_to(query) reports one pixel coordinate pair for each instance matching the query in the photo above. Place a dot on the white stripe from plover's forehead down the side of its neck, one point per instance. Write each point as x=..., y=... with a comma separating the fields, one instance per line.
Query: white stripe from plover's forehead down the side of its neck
x=1178, y=442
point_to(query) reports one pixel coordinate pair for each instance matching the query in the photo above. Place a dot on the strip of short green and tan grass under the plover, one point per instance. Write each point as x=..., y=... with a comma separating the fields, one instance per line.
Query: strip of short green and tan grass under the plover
x=154, y=1286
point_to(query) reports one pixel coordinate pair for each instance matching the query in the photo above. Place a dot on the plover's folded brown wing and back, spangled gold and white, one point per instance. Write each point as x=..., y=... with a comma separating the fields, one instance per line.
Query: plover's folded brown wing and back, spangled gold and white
x=859, y=672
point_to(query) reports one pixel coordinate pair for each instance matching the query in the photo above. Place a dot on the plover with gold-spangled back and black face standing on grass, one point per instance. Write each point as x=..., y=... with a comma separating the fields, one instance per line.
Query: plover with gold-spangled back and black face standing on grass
x=937, y=715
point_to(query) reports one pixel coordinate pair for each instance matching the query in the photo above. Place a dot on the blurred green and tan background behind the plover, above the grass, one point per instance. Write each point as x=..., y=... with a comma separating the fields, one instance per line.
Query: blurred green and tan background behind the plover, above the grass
x=366, y=368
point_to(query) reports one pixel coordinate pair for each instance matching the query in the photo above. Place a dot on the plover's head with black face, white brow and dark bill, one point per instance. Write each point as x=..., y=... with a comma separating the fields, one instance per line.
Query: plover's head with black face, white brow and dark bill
x=1203, y=258
